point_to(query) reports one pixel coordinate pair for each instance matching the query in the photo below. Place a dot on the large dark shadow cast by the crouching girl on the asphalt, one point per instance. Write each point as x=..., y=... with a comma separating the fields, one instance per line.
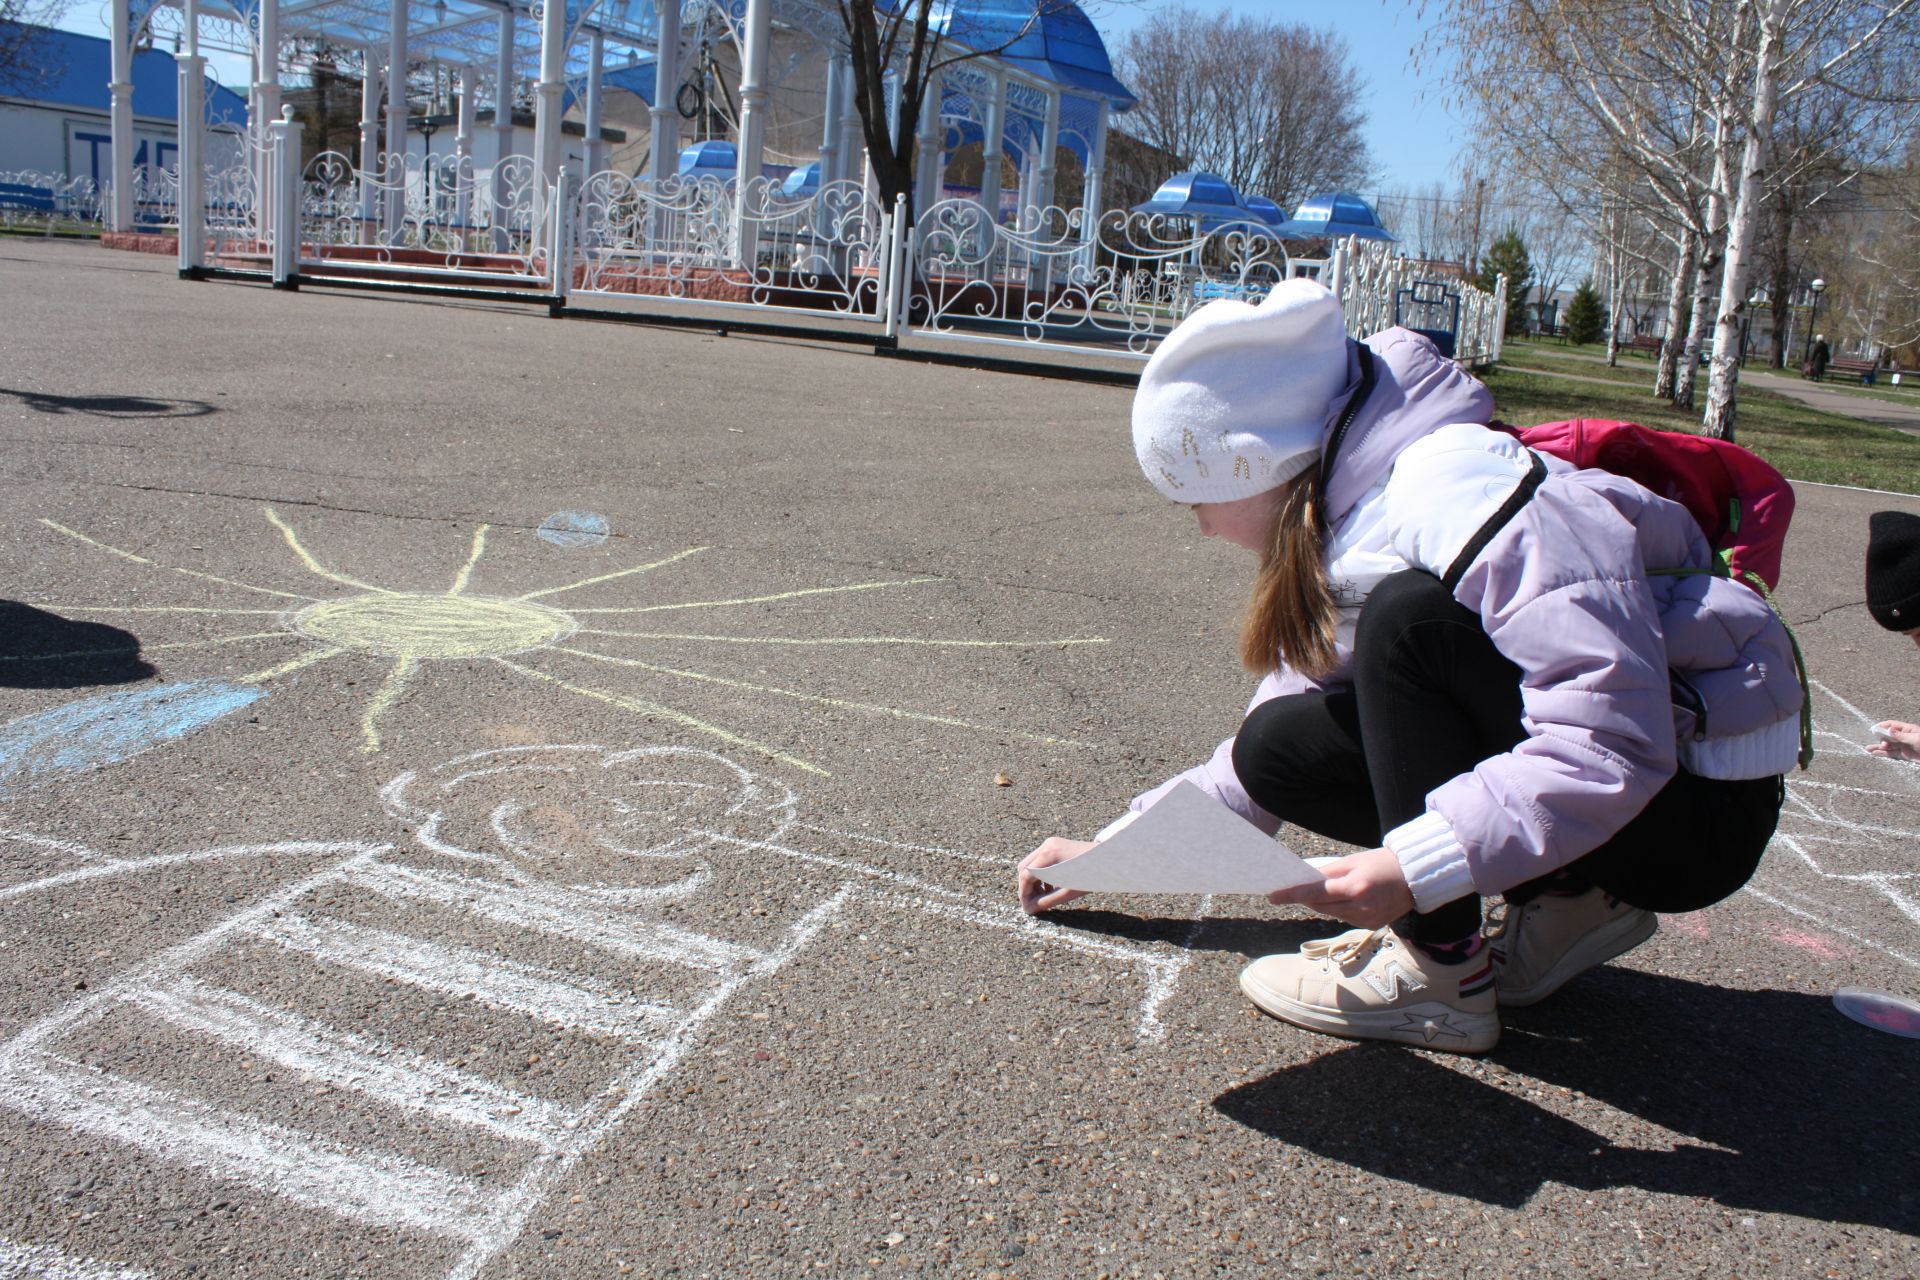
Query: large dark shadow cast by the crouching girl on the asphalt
x=1777, y=1104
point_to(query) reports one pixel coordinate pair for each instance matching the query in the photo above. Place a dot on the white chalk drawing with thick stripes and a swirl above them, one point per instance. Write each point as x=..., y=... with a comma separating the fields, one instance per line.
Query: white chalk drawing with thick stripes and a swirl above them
x=546, y=889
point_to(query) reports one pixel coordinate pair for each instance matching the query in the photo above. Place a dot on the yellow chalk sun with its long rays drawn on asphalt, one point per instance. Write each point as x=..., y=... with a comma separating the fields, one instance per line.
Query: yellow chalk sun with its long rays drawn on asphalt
x=412, y=630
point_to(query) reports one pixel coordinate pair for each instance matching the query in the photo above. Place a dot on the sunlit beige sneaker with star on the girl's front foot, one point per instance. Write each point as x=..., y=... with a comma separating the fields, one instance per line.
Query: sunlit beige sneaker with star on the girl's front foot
x=1374, y=985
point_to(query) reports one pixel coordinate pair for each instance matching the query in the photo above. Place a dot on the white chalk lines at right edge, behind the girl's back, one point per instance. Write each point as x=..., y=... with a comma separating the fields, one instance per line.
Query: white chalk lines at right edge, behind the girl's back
x=1852, y=826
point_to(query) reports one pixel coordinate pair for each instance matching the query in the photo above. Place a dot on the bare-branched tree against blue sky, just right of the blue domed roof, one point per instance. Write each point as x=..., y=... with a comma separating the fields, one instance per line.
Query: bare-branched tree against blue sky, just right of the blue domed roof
x=1270, y=107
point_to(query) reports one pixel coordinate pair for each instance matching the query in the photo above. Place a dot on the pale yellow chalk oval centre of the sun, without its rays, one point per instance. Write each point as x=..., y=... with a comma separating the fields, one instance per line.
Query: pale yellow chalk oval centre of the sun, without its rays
x=433, y=627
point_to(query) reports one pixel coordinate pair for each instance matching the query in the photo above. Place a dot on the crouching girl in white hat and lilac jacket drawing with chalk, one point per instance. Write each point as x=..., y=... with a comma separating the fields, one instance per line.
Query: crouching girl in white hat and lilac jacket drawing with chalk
x=1470, y=669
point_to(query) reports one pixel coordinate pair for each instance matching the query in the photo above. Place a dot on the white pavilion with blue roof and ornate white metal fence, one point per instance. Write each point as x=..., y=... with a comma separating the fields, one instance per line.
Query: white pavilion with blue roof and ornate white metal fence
x=1022, y=273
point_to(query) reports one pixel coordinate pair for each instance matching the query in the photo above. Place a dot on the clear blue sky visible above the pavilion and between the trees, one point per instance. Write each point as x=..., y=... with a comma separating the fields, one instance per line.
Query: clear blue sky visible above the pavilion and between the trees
x=1404, y=108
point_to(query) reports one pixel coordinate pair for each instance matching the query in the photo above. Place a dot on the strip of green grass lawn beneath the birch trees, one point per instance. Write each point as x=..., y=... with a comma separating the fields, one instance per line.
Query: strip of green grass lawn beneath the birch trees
x=1806, y=444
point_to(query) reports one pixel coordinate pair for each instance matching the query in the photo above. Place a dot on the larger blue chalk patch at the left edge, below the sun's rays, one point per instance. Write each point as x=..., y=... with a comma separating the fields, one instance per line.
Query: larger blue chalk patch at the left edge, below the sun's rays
x=110, y=728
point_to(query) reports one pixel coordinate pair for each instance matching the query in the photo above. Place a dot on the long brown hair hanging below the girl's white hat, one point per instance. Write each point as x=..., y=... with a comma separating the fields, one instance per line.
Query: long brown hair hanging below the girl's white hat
x=1293, y=615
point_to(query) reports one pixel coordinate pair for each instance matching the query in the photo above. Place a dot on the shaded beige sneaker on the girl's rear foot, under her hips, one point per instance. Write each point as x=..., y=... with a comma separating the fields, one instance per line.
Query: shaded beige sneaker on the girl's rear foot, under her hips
x=1556, y=937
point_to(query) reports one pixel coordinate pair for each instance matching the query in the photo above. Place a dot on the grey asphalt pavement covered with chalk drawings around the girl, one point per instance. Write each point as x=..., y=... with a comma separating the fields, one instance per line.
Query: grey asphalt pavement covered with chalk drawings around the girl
x=487, y=795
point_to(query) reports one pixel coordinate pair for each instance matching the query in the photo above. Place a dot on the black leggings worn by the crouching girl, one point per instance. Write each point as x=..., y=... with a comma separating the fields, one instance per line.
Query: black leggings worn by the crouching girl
x=1431, y=699
